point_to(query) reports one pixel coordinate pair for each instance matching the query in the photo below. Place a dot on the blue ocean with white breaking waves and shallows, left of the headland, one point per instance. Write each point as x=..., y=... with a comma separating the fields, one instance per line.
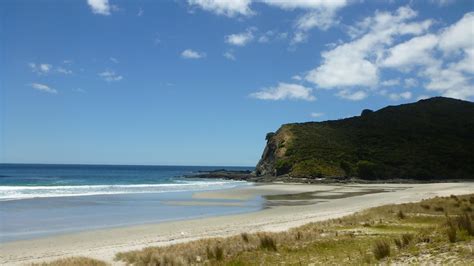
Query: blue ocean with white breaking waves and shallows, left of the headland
x=43, y=200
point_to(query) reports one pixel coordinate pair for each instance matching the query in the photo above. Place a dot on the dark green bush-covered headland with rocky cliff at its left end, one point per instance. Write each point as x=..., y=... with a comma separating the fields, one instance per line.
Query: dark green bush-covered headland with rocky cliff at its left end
x=430, y=139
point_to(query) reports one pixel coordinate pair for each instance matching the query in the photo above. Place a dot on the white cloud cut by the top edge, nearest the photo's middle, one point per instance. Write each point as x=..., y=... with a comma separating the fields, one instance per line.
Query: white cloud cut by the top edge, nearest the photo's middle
x=229, y=8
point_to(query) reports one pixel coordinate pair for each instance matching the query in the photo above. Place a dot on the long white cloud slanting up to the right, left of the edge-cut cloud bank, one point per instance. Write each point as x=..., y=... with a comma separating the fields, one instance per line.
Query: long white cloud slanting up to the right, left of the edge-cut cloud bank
x=355, y=63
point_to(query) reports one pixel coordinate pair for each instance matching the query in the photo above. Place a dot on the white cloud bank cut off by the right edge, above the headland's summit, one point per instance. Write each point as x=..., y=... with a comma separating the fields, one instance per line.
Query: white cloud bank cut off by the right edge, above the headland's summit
x=449, y=74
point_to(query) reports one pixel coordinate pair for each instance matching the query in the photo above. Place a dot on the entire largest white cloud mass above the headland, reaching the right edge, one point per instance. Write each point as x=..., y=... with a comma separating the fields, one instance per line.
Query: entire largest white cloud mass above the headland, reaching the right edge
x=441, y=61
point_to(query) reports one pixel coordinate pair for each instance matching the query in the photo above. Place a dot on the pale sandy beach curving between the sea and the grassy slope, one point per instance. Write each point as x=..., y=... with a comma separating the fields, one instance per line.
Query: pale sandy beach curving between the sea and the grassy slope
x=311, y=203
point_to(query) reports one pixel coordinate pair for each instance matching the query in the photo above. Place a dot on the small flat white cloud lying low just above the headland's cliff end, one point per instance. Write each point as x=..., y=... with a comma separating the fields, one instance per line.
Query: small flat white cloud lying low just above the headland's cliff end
x=285, y=91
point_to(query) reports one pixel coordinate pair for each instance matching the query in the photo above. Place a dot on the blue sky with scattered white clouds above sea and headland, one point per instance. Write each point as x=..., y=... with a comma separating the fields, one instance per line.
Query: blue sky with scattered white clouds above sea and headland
x=201, y=82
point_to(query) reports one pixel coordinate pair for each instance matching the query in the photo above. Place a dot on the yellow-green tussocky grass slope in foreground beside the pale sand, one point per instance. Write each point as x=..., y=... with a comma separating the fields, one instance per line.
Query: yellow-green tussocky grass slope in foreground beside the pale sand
x=368, y=237
